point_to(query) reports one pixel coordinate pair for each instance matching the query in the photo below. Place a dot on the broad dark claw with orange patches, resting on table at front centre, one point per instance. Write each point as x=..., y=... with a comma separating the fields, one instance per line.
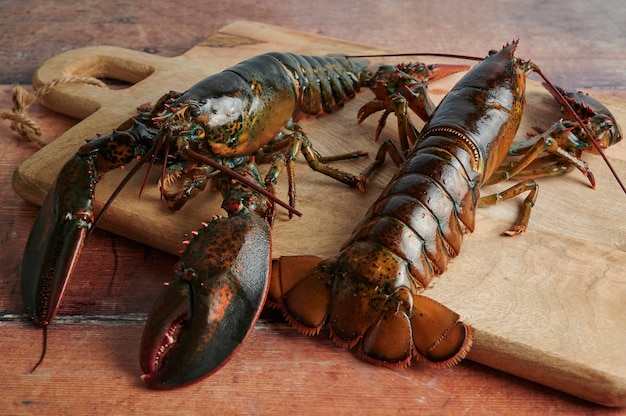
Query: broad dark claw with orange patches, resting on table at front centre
x=203, y=316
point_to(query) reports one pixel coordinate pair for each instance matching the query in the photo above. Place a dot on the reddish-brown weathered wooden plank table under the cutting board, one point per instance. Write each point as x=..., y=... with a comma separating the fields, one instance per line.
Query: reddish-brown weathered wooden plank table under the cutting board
x=92, y=365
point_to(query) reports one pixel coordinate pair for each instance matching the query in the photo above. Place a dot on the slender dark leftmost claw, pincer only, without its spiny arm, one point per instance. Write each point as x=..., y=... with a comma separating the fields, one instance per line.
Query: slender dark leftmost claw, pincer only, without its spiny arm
x=56, y=240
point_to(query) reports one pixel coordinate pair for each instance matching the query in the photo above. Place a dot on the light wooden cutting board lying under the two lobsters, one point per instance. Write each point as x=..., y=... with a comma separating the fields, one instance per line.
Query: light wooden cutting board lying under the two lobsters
x=547, y=306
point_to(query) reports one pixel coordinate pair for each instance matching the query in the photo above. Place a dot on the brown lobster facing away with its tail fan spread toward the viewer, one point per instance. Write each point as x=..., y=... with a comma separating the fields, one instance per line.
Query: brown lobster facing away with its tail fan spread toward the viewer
x=369, y=295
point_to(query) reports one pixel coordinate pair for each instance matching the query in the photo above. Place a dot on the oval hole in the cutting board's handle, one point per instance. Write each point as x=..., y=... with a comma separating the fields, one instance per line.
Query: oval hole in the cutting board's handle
x=115, y=72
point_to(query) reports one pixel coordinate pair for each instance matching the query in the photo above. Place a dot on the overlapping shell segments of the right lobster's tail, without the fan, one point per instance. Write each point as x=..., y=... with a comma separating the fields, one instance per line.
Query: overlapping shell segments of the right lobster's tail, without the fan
x=424, y=215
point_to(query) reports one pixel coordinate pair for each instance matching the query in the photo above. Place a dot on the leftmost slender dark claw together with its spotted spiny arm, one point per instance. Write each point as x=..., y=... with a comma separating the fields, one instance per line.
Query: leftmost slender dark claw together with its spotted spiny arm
x=66, y=216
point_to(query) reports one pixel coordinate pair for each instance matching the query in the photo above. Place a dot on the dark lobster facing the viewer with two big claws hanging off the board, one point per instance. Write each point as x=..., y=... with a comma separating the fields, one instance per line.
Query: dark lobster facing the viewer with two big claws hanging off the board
x=222, y=124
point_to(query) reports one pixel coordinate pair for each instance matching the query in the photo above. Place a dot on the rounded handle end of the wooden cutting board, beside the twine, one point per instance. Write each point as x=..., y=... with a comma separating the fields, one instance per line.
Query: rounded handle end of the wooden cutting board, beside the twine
x=81, y=100
